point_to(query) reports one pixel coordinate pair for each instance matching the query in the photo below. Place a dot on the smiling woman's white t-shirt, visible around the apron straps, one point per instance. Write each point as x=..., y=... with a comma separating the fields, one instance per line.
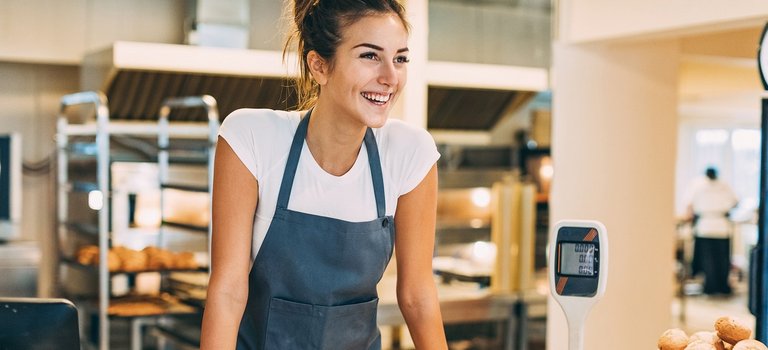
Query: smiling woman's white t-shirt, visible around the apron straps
x=262, y=138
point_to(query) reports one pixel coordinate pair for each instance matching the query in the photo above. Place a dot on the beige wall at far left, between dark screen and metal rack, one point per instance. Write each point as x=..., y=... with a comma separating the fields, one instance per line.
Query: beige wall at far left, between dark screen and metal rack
x=29, y=96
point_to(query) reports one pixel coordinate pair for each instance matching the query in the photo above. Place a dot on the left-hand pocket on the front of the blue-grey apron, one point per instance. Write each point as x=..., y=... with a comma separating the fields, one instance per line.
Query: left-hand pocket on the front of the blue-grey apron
x=291, y=326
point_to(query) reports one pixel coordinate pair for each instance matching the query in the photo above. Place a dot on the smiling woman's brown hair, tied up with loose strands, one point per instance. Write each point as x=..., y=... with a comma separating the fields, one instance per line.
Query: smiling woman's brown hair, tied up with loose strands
x=318, y=25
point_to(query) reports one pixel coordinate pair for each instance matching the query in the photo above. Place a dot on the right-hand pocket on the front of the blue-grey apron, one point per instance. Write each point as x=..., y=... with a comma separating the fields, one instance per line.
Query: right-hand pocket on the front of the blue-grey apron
x=350, y=327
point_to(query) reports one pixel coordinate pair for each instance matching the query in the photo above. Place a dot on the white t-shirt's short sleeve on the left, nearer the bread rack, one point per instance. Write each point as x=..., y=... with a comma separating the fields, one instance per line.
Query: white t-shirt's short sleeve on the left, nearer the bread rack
x=237, y=129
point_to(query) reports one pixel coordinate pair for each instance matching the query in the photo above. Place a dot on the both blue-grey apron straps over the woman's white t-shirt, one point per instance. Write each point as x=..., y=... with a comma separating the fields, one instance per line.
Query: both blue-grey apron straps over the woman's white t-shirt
x=293, y=161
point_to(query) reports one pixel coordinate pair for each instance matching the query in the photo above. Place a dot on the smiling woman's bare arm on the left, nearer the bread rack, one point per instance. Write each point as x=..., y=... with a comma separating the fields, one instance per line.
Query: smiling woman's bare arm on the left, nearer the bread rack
x=235, y=196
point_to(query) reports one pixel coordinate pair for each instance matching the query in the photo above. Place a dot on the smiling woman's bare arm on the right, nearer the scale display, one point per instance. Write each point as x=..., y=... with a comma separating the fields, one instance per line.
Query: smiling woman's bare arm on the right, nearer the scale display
x=414, y=244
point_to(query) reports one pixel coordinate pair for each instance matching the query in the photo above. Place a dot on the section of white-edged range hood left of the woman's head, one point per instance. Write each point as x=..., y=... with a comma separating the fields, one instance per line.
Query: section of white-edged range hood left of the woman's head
x=137, y=77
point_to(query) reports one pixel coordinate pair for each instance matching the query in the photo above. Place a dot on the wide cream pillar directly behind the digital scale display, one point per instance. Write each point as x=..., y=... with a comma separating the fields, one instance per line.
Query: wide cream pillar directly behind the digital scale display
x=614, y=131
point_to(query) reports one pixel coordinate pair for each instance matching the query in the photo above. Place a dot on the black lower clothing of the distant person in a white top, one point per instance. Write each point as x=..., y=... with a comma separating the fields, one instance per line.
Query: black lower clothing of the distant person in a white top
x=712, y=256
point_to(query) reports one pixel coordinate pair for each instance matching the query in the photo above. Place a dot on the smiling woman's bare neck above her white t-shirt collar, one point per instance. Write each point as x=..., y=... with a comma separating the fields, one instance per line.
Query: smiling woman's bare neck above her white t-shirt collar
x=334, y=141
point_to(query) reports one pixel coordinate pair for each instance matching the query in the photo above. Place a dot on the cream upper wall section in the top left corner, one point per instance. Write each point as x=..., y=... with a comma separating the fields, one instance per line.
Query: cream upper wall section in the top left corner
x=56, y=31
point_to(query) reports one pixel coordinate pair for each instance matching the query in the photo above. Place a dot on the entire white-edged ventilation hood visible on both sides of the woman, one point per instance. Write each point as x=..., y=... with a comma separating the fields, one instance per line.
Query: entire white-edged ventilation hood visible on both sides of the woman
x=137, y=77
